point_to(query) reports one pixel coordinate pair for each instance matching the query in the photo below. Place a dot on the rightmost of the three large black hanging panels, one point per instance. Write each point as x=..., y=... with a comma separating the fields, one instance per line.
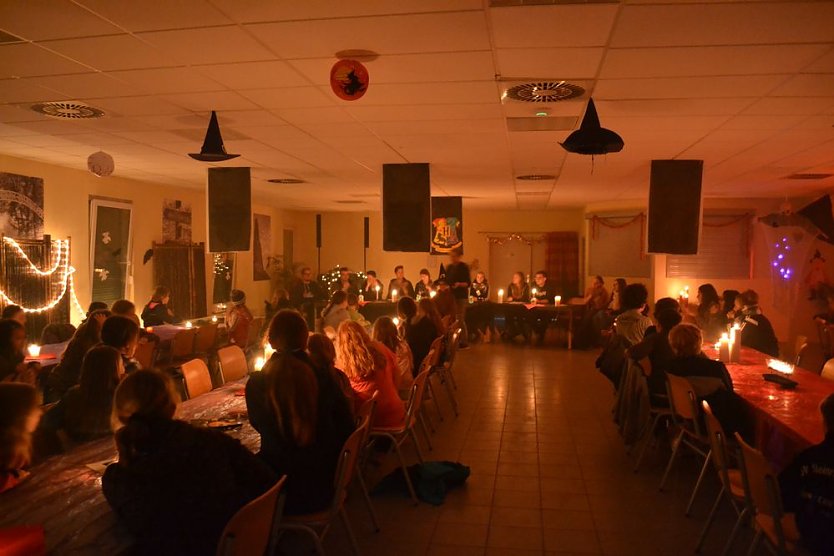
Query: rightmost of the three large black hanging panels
x=675, y=206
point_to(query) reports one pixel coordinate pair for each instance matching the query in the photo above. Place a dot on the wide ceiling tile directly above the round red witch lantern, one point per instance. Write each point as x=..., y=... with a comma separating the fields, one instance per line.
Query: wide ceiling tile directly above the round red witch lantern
x=438, y=32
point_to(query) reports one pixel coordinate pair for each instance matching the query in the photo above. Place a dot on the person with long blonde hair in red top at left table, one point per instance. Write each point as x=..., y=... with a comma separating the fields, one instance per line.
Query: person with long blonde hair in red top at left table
x=370, y=367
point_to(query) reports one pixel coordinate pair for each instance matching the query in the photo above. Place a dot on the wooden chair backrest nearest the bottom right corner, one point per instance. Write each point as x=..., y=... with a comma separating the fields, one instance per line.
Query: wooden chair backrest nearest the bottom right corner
x=761, y=486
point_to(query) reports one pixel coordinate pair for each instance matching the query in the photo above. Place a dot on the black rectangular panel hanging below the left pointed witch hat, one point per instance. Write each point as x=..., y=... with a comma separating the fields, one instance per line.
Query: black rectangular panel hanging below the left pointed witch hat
x=229, y=209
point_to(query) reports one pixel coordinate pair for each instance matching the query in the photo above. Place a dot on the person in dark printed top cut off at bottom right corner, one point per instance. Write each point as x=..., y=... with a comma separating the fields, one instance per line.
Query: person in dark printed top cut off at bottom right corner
x=807, y=488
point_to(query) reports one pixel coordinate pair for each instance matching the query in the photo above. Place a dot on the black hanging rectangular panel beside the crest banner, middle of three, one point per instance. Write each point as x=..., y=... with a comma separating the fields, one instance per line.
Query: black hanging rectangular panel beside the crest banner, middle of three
x=406, y=207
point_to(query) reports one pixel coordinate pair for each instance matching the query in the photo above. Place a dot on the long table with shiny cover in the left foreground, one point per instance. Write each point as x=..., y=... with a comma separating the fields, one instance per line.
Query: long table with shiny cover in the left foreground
x=64, y=495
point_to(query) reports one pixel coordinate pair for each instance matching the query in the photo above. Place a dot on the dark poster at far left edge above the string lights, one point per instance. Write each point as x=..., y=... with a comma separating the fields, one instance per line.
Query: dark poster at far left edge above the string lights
x=21, y=206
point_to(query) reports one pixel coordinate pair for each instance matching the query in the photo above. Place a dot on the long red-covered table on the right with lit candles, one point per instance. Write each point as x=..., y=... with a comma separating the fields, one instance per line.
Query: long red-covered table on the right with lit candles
x=787, y=421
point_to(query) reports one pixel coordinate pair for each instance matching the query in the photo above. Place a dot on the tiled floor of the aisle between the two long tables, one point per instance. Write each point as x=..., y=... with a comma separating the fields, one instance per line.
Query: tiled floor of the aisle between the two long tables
x=549, y=472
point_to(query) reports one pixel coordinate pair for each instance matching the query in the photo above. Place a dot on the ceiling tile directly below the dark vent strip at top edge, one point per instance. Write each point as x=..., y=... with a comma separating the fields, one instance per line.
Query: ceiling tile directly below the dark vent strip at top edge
x=543, y=26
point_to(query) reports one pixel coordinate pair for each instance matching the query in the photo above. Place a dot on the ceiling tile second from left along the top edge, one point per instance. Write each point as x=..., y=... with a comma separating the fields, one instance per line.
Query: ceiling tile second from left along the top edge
x=139, y=16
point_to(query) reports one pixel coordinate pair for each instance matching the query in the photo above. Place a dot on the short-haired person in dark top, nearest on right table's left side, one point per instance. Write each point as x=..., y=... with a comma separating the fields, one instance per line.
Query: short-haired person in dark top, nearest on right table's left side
x=710, y=379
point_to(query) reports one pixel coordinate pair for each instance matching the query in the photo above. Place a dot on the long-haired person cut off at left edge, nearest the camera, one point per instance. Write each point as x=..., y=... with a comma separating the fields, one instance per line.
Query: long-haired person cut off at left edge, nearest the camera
x=19, y=415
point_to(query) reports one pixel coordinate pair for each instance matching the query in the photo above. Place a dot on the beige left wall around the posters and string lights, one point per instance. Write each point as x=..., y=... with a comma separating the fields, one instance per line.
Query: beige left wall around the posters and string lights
x=66, y=202
